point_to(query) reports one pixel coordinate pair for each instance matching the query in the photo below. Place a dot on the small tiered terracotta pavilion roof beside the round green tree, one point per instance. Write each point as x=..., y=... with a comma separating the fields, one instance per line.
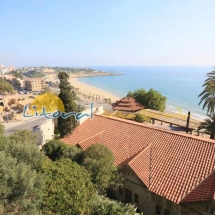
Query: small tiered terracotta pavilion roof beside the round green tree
x=127, y=104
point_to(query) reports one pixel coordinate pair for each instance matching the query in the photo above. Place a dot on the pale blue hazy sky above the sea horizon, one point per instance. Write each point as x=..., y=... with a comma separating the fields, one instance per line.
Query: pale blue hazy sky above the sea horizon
x=107, y=32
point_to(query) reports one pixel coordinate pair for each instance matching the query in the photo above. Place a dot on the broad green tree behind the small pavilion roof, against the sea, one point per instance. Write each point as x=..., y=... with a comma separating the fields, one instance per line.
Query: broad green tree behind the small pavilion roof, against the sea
x=151, y=99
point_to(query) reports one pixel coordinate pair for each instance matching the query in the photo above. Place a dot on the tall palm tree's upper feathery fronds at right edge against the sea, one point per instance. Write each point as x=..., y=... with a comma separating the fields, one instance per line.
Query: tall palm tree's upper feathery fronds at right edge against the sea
x=208, y=94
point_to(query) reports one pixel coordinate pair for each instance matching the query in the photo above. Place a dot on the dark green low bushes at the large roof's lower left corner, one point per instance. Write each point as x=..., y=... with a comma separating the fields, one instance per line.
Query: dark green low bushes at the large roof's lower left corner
x=56, y=150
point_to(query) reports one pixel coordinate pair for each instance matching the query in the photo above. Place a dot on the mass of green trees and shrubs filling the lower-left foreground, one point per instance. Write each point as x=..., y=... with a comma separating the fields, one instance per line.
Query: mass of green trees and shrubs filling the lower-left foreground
x=32, y=183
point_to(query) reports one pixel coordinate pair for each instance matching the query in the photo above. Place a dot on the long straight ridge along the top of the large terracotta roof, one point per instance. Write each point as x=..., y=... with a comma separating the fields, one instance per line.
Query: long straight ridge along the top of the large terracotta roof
x=157, y=129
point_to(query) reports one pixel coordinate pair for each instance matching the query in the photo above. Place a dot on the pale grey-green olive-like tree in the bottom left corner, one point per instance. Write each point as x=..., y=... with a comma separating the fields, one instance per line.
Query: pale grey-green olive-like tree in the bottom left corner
x=21, y=186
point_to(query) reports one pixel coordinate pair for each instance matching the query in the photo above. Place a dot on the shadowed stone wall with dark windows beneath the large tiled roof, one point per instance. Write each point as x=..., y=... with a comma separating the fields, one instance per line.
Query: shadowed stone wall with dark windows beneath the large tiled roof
x=149, y=202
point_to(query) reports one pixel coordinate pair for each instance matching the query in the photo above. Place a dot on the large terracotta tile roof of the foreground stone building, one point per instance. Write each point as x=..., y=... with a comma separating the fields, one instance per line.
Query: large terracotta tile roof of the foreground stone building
x=175, y=166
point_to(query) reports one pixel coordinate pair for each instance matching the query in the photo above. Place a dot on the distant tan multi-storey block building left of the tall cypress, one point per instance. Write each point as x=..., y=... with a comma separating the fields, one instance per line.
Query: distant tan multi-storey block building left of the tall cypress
x=34, y=84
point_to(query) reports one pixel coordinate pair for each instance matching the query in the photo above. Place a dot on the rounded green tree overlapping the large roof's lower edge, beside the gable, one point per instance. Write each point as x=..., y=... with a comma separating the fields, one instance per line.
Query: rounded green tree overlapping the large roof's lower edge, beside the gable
x=99, y=161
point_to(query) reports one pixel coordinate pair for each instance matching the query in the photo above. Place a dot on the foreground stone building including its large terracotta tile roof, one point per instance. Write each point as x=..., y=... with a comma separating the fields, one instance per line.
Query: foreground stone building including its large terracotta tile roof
x=165, y=172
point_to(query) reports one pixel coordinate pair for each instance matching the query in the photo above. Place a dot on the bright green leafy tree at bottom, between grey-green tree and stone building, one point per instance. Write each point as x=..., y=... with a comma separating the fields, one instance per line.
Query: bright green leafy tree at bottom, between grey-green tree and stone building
x=68, y=188
